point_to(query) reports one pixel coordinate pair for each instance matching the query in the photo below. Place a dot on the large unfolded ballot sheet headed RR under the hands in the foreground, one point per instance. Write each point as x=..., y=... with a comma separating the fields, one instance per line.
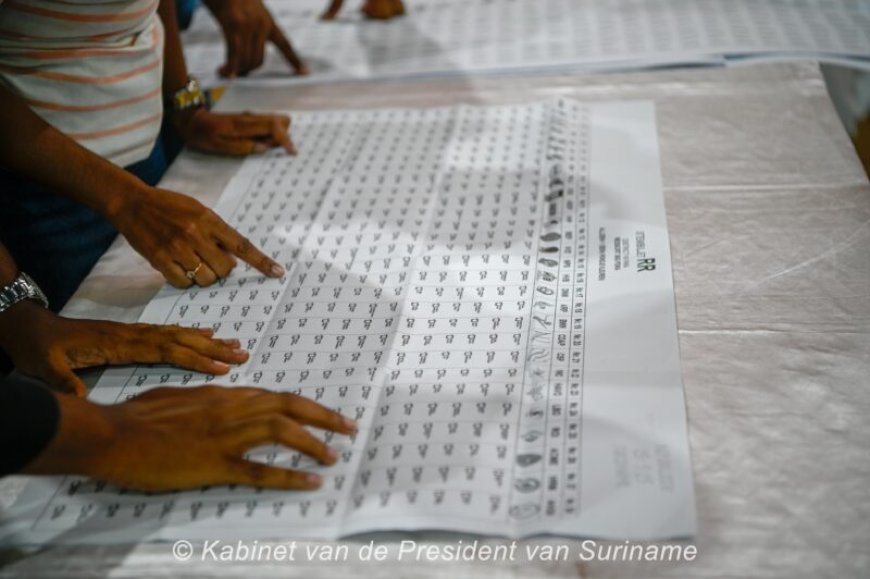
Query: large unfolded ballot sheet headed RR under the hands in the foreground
x=486, y=290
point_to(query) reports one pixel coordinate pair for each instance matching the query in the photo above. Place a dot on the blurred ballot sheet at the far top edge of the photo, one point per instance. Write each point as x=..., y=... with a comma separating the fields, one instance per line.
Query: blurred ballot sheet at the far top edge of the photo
x=438, y=37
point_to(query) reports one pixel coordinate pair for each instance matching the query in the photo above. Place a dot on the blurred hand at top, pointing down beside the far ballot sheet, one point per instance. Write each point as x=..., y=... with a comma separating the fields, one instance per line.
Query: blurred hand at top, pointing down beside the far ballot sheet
x=247, y=25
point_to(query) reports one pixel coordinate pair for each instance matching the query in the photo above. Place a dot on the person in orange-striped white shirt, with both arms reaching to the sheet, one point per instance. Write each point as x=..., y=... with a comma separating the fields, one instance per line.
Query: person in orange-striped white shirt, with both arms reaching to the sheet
x=82, y=90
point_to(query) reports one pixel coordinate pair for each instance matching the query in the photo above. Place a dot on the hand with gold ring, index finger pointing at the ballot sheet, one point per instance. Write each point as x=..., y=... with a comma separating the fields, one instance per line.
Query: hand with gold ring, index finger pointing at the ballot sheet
x=179, y=235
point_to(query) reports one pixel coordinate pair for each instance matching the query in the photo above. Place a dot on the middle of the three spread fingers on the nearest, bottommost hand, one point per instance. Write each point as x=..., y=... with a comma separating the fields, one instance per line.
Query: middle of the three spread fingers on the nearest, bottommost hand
x=277, y=429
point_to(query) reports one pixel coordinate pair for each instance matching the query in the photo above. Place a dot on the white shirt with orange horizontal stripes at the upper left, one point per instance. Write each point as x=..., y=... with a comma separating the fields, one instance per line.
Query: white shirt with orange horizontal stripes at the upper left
x=91, y=68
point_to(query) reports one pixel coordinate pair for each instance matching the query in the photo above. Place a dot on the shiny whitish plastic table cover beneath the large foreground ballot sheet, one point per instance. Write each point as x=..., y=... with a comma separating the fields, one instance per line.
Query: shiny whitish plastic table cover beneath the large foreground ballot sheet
x=769, y=215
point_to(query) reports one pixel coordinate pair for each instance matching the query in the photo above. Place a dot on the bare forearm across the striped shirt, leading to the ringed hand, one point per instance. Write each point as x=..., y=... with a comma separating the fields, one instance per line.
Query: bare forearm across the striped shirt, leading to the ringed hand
x=42, y=154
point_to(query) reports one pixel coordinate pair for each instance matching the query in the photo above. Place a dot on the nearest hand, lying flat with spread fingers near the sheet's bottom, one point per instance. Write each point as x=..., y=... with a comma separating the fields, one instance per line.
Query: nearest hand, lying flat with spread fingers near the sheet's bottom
x=182, y=438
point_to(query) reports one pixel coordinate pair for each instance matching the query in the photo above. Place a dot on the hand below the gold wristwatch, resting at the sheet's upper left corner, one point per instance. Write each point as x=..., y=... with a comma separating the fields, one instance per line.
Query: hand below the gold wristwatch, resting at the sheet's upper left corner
x=233, y=133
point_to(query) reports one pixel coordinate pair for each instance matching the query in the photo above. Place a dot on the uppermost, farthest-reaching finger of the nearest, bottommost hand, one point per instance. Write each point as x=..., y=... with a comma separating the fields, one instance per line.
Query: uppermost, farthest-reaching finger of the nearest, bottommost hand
x=299, y=408
